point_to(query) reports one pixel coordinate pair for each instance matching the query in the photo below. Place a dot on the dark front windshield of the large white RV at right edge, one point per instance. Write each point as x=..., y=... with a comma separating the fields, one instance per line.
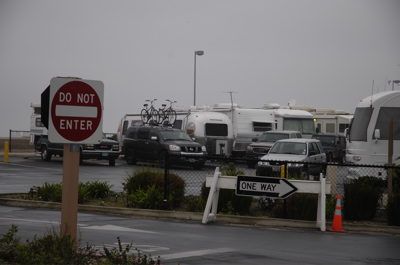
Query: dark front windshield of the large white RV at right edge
x=359, y=125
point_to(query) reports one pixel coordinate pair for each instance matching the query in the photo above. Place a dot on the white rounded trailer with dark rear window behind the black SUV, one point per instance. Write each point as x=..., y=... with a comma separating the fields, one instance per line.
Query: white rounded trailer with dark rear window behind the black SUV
x=211, y=129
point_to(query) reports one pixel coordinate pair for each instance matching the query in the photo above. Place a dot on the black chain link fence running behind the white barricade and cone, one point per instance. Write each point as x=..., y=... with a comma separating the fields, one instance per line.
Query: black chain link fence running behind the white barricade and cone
x=365, y=190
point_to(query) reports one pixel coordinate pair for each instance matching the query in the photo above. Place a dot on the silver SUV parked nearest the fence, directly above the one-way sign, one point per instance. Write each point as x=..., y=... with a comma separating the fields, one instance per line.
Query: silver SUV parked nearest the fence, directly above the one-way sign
x=293, y=152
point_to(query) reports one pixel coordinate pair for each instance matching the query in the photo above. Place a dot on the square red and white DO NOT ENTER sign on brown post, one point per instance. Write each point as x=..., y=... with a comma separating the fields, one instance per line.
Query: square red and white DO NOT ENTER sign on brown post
x=75, y=110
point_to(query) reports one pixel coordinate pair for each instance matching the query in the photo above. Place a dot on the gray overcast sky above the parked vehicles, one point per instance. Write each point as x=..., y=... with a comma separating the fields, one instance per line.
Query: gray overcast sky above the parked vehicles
x=325, y=54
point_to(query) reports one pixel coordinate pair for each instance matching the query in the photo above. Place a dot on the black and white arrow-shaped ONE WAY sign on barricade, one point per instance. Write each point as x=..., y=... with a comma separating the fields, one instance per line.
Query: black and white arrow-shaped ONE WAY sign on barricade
x=264, y=186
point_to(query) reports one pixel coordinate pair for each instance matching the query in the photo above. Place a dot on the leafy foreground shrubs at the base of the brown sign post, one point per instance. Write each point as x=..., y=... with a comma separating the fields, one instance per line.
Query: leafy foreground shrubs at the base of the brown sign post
x=55, y=249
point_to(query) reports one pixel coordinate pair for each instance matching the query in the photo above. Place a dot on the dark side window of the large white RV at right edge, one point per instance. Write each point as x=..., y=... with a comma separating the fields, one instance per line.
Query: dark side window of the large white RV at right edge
x=383, y=122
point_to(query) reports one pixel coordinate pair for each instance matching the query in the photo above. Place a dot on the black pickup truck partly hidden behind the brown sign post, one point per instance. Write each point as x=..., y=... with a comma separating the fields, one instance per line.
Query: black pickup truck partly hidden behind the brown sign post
x=107, y=149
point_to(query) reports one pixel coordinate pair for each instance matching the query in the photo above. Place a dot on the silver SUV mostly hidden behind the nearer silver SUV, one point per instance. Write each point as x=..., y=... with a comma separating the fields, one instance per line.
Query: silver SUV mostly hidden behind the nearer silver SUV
x=262, y=144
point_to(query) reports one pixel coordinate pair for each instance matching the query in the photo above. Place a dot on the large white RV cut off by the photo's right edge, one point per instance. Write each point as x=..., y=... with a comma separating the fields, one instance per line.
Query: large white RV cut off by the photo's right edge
x=368, y=133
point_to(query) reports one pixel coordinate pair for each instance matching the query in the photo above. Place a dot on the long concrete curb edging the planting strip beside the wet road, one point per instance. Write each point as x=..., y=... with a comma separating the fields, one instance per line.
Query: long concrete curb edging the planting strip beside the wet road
x=197, y=217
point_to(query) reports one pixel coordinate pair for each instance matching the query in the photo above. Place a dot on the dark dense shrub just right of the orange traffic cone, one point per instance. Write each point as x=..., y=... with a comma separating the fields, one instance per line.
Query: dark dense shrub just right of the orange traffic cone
x=361, y=198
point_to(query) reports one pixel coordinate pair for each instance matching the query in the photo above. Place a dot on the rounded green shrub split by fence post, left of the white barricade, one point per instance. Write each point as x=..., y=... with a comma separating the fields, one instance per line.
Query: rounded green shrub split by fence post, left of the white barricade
x=149, y=183
